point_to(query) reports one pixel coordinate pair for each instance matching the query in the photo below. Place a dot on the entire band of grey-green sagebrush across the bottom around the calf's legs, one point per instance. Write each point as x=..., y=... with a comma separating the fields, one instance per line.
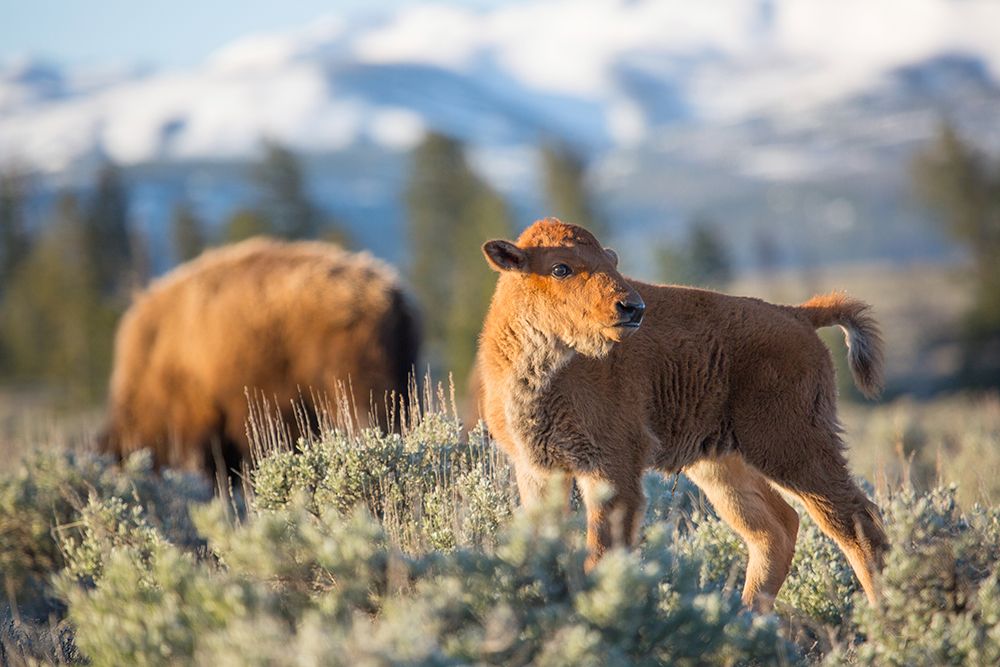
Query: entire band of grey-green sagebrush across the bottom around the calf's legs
x=387, y=549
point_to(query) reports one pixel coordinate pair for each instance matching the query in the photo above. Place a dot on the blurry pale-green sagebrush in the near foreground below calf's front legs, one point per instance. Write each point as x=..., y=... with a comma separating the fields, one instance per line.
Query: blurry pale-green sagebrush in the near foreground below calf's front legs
x=290, y=586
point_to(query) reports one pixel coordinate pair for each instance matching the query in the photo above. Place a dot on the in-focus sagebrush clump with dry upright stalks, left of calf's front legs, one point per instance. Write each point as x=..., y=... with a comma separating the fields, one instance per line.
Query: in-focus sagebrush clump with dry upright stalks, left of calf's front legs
x=428, y=490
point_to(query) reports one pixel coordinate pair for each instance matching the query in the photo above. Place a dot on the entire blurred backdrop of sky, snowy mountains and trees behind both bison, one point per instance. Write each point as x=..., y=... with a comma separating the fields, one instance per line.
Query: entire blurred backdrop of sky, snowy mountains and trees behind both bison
x=771, y=148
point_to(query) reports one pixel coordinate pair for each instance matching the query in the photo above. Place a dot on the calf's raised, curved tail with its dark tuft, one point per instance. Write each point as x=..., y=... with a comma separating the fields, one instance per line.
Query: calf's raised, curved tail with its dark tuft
x=864, y=339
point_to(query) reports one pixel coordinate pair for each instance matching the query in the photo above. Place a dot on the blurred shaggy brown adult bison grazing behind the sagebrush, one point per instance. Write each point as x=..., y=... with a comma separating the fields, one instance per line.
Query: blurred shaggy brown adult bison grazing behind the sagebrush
x=282, y=320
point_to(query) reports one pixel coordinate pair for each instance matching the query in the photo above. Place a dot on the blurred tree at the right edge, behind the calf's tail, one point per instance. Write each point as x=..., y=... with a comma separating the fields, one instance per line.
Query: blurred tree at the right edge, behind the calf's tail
x=963, y=187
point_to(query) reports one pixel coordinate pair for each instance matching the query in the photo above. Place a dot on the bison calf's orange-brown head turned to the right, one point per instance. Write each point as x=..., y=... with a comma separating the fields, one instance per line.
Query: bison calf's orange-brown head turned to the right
x=565, y=284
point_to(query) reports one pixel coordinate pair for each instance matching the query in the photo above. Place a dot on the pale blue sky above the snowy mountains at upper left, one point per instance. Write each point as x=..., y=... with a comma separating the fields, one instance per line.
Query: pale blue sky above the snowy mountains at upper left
x=156, y=33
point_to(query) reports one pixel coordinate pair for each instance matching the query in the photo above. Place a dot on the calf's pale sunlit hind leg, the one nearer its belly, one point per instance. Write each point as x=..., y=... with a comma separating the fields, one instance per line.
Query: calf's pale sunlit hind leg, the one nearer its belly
x=768, y=525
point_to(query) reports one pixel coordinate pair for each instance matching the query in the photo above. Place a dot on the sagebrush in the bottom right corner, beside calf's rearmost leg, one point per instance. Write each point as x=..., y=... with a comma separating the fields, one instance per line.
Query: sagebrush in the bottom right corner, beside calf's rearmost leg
x=940, y=586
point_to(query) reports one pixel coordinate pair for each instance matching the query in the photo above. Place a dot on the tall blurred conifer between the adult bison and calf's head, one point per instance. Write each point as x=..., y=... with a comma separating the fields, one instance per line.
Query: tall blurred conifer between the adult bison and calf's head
x=451, y=213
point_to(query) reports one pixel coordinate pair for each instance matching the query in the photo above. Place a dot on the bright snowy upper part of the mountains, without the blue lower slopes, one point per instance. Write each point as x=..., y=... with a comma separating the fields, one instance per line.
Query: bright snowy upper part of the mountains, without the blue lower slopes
x=602, y=74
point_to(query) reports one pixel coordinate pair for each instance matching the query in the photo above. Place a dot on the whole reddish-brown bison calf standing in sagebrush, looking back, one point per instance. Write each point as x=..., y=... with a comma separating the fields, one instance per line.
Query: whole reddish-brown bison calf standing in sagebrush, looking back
x=588, y=373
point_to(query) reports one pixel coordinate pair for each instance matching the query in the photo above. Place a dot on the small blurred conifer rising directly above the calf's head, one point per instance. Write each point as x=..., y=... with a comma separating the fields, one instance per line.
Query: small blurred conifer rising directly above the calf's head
x=566, y=190
